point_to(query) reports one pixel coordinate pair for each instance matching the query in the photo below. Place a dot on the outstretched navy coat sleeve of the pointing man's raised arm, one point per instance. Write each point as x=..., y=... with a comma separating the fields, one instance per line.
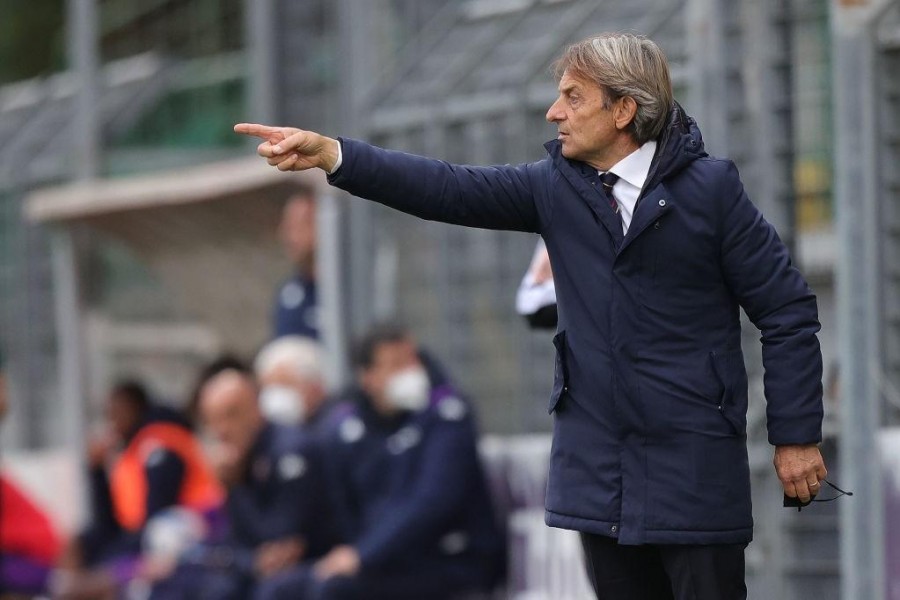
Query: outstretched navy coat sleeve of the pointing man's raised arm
x=501, y=197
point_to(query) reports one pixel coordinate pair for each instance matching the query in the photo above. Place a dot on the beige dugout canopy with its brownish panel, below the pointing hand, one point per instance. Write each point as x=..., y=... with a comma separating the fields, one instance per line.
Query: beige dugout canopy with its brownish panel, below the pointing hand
x=208, y=233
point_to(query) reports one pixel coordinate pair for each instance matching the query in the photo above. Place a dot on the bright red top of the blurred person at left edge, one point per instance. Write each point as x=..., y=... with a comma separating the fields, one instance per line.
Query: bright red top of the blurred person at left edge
x=25, y=530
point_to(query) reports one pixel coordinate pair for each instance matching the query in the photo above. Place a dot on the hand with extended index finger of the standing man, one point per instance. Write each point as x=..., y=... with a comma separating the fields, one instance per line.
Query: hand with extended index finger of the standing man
x=292, y=149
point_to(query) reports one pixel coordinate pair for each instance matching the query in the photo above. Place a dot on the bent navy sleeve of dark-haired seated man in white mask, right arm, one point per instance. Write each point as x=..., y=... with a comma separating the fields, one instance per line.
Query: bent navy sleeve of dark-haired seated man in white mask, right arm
x=447, y=468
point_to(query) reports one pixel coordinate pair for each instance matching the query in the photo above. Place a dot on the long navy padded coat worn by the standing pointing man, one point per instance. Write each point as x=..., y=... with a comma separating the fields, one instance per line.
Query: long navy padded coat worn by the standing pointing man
x=650, y=389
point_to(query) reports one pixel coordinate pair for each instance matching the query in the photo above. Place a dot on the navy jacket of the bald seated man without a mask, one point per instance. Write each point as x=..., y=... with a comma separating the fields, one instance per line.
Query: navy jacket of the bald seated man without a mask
x=282, y=494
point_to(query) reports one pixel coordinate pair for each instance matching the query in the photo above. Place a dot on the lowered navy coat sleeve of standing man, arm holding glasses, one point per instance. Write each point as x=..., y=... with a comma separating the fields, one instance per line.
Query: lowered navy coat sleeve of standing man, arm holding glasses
x=757, y=268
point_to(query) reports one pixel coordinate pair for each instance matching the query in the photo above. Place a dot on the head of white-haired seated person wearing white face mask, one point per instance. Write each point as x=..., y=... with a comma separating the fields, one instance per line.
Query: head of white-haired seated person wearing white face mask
x=290, y=373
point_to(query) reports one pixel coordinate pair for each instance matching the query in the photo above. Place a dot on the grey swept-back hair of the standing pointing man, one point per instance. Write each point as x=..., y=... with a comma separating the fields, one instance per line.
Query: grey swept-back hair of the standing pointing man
x=625, y=65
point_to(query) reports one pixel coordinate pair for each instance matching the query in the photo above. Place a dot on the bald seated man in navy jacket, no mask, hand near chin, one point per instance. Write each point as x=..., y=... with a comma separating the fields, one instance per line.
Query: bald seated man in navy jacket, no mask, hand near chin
x=276, y=505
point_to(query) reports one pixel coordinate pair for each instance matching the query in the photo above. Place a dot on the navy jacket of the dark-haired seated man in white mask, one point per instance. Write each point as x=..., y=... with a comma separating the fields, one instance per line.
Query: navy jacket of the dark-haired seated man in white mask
x=411, y=489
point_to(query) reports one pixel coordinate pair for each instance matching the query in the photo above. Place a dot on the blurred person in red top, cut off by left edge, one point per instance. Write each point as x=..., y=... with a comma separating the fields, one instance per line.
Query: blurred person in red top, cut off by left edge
x=29, y=542
